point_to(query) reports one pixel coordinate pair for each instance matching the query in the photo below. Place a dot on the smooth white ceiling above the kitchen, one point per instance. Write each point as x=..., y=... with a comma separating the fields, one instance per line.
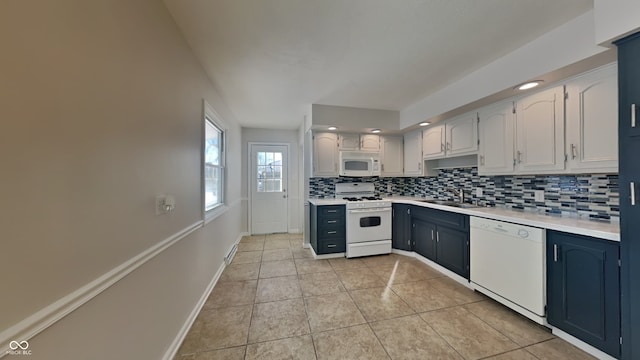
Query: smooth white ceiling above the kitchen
x=271, y=59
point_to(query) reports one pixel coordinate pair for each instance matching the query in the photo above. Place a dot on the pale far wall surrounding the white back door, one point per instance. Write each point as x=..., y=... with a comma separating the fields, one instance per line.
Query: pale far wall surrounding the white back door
x=282, y=137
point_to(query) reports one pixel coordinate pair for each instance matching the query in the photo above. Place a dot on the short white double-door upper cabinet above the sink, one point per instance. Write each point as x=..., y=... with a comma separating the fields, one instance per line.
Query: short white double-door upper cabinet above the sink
x=455, y=137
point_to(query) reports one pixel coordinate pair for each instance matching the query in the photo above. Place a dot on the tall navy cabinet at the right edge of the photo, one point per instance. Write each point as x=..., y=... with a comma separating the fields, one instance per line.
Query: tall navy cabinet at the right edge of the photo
x=629, y=148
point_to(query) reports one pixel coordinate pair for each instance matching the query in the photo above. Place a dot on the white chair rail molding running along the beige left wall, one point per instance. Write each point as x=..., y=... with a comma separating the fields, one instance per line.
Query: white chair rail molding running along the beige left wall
x=47, y=316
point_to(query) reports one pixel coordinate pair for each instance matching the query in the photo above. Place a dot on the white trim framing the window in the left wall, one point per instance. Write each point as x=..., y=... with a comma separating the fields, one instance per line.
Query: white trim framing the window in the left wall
x=209, y=114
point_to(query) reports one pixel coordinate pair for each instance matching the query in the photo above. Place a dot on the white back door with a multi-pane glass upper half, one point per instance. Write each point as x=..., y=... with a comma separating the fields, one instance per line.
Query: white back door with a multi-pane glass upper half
x=269, y=203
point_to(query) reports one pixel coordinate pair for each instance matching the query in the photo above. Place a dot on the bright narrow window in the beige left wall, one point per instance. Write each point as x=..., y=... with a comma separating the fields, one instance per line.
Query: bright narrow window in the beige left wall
x=214, y=156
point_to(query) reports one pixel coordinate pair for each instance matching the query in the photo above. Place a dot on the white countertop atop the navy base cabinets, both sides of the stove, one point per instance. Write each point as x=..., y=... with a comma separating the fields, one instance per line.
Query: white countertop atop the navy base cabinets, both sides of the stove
x=575, y=225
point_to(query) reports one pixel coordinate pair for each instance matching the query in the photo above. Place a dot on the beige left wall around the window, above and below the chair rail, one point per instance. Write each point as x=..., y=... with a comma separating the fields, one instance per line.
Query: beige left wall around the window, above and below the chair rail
x=100, y=110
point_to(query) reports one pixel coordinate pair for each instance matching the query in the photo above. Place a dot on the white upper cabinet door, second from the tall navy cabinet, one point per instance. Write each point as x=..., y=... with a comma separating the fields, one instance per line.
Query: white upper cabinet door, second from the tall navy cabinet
x=540, y=132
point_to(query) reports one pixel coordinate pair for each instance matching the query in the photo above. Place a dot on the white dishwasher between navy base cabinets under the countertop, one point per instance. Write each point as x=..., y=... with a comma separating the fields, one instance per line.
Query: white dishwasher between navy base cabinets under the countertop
x=508, y=265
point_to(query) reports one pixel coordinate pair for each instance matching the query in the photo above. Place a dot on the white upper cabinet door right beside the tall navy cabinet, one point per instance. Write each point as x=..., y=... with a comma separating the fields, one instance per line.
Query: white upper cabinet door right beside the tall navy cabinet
x=592, y=121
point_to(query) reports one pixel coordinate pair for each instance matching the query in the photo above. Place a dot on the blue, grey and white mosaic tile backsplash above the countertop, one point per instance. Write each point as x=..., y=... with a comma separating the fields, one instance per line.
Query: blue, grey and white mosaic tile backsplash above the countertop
x=595, y=196
